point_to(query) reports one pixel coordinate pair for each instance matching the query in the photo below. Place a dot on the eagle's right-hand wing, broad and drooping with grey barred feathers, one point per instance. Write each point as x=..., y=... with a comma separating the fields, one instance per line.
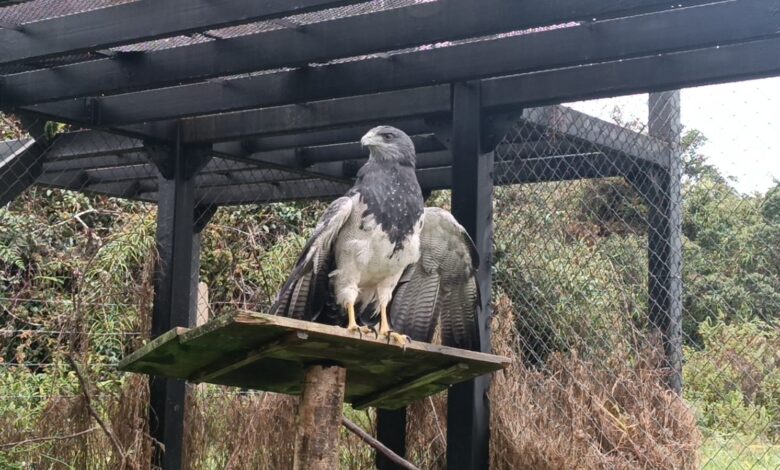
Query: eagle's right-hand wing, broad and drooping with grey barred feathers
x=442, y=285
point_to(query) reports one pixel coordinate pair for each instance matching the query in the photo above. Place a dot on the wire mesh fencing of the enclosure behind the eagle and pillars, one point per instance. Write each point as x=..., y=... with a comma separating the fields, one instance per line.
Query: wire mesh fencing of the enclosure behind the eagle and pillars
x=589, y=200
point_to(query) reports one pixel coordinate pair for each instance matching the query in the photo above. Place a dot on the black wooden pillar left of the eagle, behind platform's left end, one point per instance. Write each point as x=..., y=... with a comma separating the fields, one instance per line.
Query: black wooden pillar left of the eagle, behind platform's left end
x=176, y=279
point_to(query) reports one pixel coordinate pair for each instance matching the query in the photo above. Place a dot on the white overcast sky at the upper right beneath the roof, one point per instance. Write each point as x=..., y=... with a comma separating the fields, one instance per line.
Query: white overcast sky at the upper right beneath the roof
x=741, y=121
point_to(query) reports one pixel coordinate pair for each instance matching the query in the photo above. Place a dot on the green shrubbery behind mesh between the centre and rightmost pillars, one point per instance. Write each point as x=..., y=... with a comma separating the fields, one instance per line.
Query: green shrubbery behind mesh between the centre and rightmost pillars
x=572, y=280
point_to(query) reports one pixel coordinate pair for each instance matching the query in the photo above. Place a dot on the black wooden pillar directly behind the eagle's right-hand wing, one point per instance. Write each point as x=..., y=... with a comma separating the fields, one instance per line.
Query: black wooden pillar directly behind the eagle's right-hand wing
x=468, y=414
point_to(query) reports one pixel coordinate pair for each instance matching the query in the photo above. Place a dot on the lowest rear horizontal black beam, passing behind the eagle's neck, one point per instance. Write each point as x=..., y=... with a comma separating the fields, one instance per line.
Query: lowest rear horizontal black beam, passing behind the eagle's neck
x=251, y=186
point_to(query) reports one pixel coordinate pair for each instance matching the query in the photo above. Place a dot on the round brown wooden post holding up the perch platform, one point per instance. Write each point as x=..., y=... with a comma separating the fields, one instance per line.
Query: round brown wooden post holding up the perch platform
x=319, y=418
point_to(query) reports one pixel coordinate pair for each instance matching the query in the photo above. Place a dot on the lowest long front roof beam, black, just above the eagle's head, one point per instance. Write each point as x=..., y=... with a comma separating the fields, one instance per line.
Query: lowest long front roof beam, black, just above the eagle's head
x=654, y=73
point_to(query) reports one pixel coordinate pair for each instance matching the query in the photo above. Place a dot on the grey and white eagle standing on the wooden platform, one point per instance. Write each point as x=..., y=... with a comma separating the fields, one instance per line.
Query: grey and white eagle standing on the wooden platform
x=379, y=252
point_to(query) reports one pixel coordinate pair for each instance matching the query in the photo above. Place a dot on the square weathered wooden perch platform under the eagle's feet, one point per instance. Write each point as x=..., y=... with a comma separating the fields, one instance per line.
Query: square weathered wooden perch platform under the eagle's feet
x=264, y=352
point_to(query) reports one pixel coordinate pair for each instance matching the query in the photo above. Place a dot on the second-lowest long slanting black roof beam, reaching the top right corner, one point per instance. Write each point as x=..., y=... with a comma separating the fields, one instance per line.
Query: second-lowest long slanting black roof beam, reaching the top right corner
x=670, y=31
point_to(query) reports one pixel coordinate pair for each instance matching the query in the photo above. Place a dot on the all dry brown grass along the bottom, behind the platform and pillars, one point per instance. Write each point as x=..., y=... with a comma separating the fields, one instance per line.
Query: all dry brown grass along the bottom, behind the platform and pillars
x=573, y=414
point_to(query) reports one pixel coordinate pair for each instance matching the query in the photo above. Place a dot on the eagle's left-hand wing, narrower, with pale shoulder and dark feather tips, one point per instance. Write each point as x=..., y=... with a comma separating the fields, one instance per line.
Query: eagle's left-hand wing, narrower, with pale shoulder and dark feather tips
x=305, y=294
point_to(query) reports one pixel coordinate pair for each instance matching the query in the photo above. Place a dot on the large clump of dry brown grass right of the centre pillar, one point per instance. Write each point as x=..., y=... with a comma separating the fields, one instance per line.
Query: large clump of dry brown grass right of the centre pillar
x=576, y=414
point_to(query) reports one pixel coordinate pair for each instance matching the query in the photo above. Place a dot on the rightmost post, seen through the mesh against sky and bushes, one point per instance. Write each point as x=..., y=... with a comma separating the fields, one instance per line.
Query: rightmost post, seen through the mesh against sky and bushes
x=662, y=191
